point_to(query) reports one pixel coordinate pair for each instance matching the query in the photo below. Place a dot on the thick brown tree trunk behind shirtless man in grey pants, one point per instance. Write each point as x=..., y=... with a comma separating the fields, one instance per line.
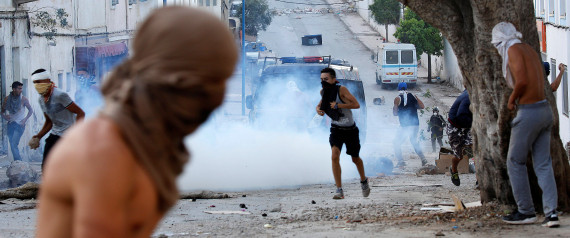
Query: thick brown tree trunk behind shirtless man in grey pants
x=468, y=25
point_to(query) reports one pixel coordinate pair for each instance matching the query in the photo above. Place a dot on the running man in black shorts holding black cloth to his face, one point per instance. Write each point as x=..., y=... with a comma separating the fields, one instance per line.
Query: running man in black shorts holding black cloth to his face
x=337, y=103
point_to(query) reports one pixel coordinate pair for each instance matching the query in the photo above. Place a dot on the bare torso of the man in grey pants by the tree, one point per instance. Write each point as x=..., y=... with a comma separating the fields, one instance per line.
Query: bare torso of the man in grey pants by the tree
x=526, y=68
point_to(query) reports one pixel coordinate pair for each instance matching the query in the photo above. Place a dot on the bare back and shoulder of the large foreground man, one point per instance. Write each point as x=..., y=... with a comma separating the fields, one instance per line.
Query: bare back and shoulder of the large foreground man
x=94, y=185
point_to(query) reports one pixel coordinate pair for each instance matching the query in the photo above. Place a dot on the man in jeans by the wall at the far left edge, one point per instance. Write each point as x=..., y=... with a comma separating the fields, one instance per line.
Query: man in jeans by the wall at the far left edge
x=13, y=111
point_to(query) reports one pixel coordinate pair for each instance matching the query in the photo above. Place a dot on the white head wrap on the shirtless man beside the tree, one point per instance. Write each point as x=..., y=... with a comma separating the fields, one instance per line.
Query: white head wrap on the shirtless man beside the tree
x=504, y=36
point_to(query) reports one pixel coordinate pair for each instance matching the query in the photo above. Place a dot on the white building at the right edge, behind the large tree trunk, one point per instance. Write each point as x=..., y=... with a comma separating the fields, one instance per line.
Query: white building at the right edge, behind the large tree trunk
x=554, y=34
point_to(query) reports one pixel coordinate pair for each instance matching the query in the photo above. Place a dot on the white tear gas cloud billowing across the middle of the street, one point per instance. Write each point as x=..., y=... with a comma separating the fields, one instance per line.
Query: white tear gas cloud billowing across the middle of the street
x=281, y=147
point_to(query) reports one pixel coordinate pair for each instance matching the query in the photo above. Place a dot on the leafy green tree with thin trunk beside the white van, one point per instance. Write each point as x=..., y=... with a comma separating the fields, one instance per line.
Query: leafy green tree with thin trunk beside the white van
x=426, y=38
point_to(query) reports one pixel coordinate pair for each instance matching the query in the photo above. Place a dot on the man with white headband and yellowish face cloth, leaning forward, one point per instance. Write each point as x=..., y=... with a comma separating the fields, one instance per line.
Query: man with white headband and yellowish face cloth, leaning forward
x=59, y=112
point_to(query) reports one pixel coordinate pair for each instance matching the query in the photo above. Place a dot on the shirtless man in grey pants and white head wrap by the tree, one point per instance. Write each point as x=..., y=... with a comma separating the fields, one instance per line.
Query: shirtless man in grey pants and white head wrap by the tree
x=523, y=70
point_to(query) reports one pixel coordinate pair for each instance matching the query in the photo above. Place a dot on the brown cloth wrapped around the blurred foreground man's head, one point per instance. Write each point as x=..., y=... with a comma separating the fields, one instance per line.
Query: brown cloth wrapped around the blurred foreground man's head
x=176, y=77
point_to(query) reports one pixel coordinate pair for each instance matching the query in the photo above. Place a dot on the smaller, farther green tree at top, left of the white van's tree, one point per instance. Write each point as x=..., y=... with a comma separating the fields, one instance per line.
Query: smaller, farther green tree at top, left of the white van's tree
x=385, y=12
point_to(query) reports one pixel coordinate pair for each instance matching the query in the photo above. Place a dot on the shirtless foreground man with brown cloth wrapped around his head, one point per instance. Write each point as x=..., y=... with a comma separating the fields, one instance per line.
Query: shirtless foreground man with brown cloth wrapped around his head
x=122, y=165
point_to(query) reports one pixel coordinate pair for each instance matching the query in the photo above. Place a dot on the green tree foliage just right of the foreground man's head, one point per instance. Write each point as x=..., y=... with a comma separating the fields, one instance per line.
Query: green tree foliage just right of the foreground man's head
x=257, y=16
